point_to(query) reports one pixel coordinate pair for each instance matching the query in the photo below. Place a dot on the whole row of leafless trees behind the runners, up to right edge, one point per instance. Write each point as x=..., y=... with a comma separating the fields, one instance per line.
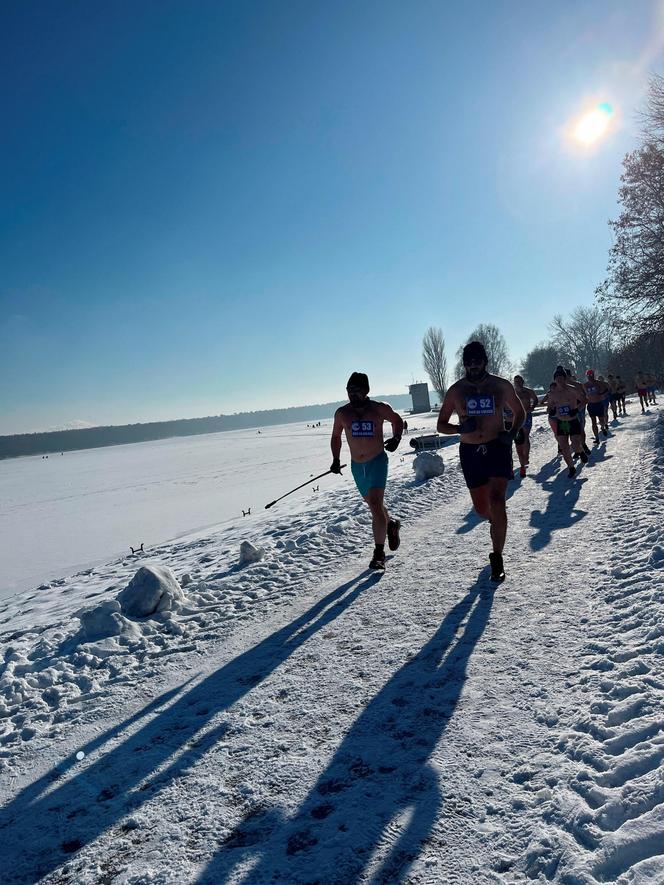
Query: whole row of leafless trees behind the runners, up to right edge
x=623, y=332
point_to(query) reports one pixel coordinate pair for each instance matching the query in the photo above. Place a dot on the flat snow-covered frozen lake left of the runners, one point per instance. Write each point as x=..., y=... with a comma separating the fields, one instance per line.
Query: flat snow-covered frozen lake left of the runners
x=67, y=512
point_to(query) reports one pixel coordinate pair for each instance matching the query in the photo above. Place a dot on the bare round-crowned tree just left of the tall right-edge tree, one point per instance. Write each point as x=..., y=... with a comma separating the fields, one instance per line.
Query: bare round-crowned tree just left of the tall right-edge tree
x=585, y=340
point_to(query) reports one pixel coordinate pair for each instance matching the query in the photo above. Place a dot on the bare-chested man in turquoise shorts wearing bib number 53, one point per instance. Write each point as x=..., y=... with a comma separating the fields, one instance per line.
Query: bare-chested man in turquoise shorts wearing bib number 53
x=362, y=421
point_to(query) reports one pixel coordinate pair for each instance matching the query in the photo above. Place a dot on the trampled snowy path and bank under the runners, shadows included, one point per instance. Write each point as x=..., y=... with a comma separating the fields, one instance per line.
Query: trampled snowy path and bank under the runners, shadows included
x=301, y=720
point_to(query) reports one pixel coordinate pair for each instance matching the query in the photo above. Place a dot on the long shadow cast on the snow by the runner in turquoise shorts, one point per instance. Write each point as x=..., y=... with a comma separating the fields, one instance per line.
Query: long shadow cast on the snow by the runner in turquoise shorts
x=121, y=780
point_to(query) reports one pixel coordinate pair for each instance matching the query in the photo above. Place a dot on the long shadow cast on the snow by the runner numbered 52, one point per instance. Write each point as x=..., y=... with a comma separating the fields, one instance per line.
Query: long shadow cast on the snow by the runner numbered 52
x=376, y=802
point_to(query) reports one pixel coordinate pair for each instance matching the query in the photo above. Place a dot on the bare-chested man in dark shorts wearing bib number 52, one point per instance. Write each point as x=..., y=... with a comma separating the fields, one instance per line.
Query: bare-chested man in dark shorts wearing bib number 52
x=485, y=450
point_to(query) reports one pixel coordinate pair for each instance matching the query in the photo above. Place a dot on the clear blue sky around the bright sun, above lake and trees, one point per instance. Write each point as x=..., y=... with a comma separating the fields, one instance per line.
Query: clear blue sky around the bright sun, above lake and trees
x=211, y=207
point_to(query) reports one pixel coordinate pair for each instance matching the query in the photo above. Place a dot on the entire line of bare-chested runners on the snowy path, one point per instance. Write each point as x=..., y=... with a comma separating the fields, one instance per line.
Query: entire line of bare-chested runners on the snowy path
x=493, y=415
